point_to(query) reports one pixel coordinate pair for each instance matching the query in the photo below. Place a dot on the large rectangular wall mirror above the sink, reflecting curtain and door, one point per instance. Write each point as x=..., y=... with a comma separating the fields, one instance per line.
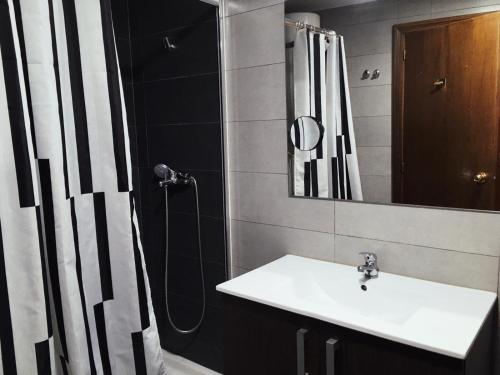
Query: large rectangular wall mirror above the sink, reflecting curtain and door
x=406, y=97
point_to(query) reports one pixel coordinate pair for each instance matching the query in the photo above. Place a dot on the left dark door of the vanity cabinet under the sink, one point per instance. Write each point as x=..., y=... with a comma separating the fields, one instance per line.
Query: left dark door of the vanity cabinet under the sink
x=265, y=341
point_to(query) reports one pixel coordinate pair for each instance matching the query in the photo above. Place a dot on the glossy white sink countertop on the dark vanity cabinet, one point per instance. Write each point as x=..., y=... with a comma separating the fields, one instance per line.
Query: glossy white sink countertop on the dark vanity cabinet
x=436, y=317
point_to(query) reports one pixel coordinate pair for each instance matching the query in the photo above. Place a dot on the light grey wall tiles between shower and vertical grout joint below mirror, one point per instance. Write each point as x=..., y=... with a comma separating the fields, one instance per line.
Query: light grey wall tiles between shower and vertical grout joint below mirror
x=265, y=223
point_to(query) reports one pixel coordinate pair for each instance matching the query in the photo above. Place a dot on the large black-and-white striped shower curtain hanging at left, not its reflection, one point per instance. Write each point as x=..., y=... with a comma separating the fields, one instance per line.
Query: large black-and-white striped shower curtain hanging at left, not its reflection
x=74, y=294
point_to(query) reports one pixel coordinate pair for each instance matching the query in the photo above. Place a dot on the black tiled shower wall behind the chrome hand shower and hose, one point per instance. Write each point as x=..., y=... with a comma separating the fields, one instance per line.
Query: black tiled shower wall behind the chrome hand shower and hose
x=173, y=103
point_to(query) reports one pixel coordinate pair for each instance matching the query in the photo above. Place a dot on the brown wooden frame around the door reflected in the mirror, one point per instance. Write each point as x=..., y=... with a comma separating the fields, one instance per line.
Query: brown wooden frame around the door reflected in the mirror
x=398, y=84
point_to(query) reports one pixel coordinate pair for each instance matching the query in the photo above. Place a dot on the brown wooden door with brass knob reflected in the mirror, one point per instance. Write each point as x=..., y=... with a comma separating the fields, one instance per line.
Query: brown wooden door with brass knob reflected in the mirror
x=445, y=125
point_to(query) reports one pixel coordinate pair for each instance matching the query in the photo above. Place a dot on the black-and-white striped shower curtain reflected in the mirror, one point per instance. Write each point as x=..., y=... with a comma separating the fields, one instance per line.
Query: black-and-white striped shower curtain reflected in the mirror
x=321, y=90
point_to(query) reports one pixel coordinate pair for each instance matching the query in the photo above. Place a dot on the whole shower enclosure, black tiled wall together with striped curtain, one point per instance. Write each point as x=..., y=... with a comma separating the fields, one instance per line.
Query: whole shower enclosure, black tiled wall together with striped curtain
x=93, y=95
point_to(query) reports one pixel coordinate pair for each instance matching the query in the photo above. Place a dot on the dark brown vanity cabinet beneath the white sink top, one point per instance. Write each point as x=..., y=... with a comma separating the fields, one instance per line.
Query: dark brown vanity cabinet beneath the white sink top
x=263, y=340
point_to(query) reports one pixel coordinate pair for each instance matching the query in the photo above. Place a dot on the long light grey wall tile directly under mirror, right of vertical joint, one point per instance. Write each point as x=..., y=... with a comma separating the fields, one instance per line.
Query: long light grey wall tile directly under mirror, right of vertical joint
x=471, y=232
